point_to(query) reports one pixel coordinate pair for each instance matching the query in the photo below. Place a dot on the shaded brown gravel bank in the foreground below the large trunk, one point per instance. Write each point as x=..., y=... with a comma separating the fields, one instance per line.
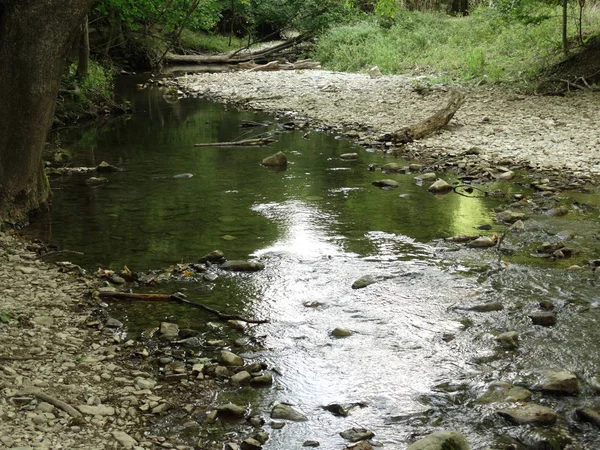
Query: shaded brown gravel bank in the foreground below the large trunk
x=63, y=381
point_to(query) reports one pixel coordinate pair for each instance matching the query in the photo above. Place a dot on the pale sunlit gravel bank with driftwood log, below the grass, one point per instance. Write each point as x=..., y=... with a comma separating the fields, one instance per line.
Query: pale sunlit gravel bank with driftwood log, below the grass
x=536, y=132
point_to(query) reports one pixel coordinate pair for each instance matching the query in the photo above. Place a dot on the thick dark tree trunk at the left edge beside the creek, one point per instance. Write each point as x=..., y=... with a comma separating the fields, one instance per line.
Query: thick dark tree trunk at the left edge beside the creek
x=34, y=40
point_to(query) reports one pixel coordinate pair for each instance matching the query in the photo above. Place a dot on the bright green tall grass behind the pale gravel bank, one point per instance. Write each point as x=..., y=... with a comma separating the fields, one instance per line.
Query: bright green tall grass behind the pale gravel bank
x=480, y=46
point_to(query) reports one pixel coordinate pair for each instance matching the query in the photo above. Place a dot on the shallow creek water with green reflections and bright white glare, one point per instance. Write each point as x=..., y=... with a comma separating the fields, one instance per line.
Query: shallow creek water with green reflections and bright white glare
x=318, y=226
